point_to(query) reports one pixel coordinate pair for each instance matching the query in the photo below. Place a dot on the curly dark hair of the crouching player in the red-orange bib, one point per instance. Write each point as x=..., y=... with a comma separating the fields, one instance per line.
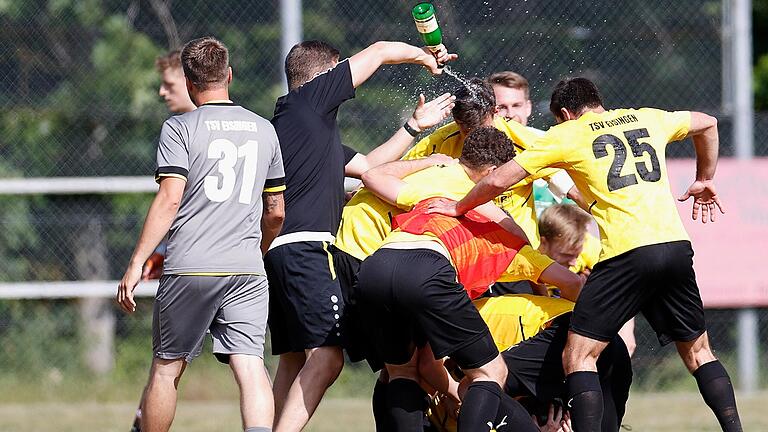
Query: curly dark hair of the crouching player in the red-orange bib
x=486, y=146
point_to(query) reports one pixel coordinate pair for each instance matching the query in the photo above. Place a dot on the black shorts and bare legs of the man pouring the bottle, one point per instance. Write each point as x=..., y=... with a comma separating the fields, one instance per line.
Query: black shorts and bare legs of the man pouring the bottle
x=306, y=311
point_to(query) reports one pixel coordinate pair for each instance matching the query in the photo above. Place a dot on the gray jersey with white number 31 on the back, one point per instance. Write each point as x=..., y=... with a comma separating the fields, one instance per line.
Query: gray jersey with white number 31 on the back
x=229, y=156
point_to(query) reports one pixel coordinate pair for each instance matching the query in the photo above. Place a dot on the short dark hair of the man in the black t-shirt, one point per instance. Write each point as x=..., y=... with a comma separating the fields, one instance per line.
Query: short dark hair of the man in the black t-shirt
x=306, y=59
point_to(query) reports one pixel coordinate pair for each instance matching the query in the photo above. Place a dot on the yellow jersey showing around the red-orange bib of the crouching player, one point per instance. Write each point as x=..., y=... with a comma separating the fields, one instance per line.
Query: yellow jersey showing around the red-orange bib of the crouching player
x=451, y=181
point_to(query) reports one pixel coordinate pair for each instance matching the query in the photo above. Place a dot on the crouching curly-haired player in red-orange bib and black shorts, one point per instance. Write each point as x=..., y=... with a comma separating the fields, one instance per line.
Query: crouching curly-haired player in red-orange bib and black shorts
x=408, y=289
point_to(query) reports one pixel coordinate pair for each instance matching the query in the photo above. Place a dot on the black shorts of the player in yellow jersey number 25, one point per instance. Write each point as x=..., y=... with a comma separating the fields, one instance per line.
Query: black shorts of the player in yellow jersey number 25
x=657, y=280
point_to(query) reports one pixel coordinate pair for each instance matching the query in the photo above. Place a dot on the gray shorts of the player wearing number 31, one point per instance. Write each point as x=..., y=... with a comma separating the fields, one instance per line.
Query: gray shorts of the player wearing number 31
x=234, y=308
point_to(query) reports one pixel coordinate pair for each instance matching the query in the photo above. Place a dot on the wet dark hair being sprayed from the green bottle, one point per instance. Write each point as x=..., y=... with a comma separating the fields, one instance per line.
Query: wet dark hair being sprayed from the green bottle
x=475, y=102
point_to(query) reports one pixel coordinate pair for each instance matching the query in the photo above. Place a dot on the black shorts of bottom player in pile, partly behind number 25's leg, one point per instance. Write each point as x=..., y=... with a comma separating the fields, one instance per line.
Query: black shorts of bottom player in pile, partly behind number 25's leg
x=536, y=367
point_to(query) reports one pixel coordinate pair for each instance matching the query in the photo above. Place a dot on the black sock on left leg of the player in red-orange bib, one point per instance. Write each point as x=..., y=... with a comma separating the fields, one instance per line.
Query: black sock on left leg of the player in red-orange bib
x=406, y=402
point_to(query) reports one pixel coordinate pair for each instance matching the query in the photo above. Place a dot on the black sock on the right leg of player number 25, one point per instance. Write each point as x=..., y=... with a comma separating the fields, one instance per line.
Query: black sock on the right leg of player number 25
x=716, y=389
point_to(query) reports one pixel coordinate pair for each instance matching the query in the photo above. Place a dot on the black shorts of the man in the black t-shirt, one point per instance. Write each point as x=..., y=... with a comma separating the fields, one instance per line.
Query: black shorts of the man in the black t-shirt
x=305, y=302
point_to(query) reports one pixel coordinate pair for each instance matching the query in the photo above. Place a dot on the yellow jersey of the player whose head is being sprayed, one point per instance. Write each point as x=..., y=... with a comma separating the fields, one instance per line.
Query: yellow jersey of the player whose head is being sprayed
x=518, y=201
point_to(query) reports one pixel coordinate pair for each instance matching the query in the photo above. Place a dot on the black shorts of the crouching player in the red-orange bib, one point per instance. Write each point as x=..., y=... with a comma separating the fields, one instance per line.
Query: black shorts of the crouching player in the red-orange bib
x=410, y=297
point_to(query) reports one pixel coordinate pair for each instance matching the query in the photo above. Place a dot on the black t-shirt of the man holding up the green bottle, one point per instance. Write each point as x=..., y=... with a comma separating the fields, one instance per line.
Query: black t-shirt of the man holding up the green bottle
x=313, y=156
